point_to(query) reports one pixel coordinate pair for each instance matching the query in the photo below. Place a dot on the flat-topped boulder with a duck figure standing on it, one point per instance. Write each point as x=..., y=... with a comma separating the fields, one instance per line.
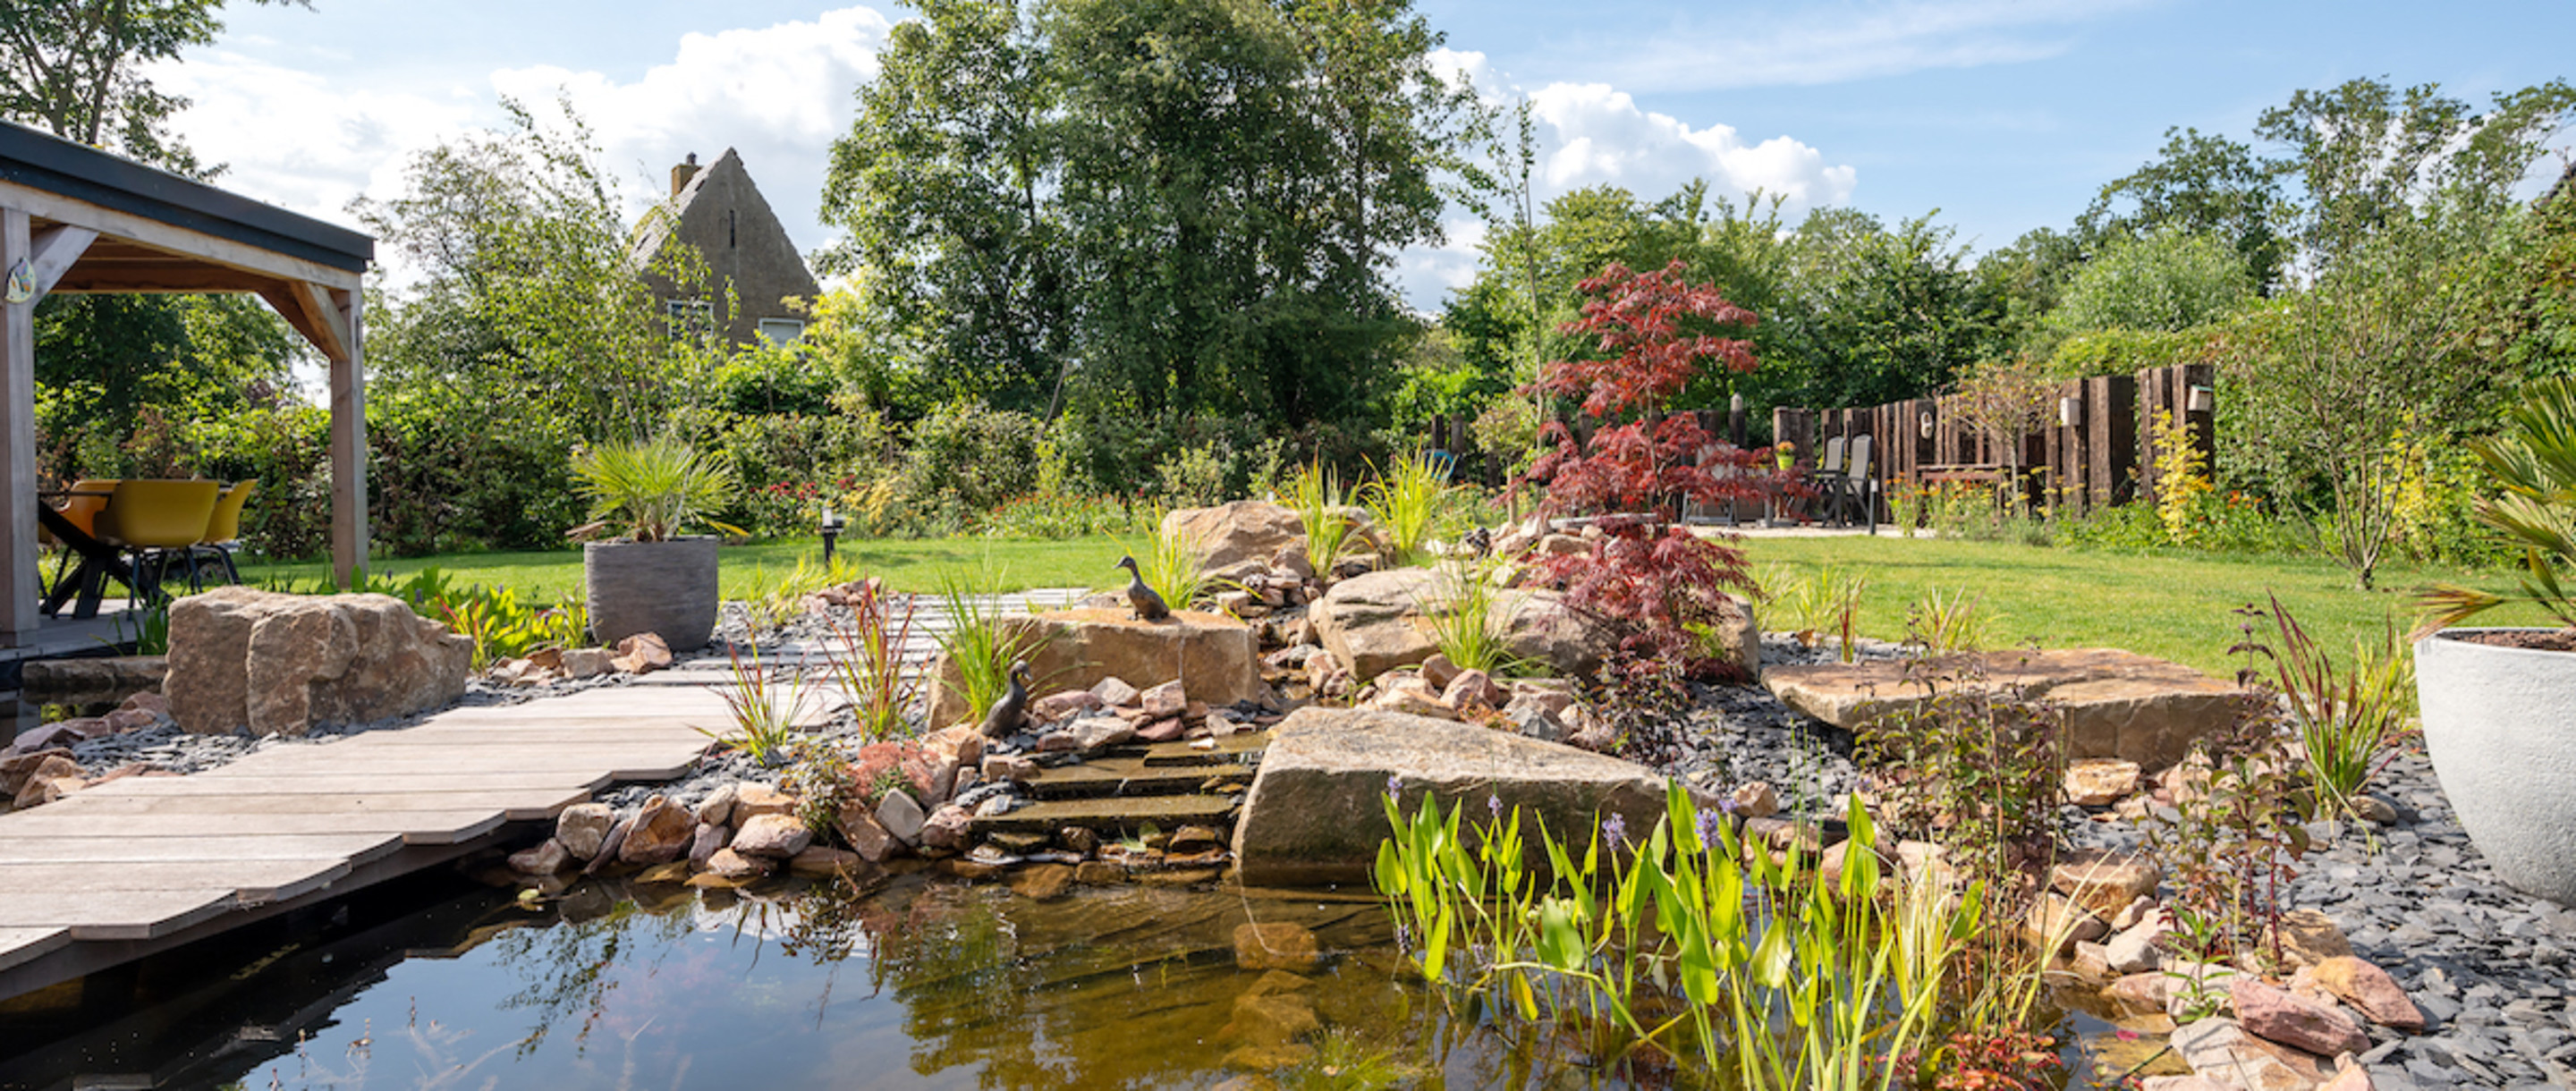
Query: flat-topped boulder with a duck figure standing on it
x=1215, y=657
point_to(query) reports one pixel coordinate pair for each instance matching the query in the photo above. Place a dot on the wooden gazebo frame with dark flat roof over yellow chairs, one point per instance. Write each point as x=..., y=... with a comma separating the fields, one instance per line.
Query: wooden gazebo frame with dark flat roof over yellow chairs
x=84, y=220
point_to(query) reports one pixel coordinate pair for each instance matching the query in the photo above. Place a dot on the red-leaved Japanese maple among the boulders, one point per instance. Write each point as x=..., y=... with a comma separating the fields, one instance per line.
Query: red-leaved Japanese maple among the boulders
x=1650, y=575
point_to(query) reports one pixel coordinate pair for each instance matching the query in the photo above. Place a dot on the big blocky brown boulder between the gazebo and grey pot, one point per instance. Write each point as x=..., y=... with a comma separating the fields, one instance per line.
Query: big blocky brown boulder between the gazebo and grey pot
x=290, y=663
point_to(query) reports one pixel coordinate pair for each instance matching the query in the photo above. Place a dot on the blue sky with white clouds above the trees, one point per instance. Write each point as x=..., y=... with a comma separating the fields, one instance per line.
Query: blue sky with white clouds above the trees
x=1998, y=115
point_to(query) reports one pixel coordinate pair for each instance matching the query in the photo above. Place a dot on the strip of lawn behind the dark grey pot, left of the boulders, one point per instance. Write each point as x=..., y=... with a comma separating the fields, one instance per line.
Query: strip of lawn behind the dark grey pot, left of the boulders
x=905, y=565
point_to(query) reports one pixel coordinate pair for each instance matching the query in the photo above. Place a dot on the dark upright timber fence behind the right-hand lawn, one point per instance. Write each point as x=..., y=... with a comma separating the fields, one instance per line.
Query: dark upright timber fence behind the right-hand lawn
x=2096, y=452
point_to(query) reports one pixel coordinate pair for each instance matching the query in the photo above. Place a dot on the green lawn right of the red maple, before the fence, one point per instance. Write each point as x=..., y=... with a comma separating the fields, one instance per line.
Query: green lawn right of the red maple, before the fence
x=2163, y=606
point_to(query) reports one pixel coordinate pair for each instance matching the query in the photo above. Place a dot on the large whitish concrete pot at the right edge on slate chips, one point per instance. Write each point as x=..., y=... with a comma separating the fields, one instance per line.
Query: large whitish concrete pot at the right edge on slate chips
x=2503, y=735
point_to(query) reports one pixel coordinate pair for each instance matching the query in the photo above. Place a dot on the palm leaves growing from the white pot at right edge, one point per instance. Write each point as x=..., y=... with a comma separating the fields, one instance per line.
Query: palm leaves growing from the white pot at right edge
x=2536, y=462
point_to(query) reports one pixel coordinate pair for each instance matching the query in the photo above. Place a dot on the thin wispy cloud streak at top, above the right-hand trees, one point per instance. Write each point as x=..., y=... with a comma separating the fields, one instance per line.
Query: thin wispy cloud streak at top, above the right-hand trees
x=1853, y=42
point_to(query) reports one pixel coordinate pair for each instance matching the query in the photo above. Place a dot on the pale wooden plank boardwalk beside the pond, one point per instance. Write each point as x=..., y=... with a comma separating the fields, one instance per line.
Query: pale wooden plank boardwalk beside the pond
x=148, y=863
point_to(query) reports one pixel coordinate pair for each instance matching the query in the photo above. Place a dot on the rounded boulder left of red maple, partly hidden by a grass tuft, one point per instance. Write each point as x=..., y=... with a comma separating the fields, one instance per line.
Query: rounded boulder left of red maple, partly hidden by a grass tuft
x=1379, y=621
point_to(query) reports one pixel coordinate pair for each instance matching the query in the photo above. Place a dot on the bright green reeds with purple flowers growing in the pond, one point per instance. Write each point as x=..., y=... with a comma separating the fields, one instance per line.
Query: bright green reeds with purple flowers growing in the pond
x=1781, y=976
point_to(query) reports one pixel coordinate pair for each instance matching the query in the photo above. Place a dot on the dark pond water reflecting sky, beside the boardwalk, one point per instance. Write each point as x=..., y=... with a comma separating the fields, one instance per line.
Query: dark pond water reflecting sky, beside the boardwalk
x=911, y=984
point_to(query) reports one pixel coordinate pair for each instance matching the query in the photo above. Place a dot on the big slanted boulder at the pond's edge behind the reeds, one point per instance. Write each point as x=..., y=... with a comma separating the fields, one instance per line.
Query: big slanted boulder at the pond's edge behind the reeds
x=1315, y=812
